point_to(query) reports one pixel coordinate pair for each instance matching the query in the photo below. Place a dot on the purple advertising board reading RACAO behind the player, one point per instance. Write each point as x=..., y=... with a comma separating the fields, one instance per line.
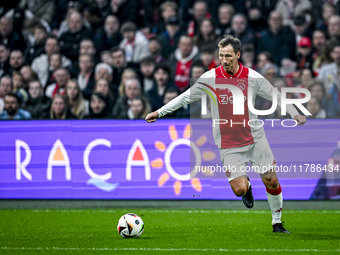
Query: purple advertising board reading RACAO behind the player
x=124, y=159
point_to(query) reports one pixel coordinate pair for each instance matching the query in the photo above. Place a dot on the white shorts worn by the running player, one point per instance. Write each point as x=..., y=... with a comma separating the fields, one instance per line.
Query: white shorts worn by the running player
x=236, y=159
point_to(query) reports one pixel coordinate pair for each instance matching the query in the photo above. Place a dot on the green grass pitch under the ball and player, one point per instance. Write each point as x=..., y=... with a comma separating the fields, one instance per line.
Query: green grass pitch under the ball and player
x=93, y=231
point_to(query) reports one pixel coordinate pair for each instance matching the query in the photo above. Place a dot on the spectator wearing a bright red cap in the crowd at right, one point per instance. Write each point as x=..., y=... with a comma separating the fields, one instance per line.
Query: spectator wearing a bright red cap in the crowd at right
x=304, y=53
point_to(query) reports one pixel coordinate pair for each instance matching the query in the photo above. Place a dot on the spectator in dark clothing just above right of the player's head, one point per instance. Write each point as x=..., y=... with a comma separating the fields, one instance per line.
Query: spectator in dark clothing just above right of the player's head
x=240, y=29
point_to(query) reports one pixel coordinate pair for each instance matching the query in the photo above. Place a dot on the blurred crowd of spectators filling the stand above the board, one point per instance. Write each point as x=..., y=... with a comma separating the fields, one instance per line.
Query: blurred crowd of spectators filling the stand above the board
x=121, y=59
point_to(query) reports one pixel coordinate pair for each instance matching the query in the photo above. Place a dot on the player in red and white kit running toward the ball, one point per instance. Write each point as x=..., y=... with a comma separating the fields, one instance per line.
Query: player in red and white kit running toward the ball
x=238, y=144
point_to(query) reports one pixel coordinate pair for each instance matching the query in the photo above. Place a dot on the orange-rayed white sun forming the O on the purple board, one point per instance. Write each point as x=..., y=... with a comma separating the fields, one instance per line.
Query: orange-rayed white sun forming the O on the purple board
x=159, y=163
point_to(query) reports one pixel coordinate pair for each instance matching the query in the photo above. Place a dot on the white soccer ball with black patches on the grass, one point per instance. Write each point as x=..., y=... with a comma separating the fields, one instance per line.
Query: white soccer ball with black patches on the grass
x=130, y=225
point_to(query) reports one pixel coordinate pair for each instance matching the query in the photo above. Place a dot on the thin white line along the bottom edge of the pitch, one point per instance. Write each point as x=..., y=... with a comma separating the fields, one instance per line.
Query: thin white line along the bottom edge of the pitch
x=165, y=249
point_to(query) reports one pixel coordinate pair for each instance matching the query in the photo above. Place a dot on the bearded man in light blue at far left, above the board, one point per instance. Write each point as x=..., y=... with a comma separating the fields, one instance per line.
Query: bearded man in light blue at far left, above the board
x=12, y=110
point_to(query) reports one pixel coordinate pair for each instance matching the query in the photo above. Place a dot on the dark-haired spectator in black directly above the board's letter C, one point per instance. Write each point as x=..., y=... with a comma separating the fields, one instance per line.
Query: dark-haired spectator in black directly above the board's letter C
x=98, y=107
